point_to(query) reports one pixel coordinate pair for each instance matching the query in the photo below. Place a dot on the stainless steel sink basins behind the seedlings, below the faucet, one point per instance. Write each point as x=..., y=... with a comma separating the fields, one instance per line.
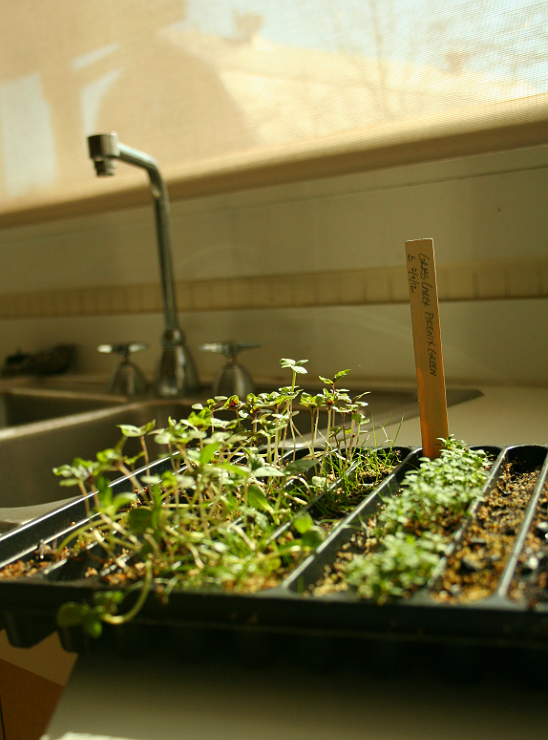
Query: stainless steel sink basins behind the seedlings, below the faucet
x=30, y=451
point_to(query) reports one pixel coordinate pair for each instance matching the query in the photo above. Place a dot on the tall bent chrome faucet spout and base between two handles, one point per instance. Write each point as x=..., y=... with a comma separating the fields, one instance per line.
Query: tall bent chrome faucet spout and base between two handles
x=177, y=374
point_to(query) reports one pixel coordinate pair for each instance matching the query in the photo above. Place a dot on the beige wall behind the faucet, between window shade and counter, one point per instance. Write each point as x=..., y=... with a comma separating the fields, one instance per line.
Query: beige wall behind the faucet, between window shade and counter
x=485, y=213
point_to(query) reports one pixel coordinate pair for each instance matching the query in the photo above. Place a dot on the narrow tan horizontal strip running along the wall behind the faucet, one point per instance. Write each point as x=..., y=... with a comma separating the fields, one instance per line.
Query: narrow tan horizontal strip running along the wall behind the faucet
x=510, y=279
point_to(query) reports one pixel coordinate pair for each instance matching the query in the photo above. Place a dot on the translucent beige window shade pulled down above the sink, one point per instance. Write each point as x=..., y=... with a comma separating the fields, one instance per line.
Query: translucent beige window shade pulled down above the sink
x=229, y=94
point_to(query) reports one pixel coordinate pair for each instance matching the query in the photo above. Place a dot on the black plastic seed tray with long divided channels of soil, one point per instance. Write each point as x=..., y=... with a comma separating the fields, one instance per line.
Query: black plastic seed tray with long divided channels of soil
x=29, y=604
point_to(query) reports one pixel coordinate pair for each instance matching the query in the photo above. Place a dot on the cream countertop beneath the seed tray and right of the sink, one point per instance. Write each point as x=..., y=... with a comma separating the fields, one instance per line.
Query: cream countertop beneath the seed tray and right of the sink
x=162, y=698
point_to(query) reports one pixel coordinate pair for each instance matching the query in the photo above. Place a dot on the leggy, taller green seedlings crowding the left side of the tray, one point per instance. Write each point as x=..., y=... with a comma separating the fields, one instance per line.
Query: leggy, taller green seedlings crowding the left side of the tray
x=228, y=512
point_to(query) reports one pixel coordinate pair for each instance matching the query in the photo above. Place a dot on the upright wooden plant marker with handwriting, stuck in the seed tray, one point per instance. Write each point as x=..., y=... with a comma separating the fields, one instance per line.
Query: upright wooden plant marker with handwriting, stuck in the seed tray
x=423, y=295
